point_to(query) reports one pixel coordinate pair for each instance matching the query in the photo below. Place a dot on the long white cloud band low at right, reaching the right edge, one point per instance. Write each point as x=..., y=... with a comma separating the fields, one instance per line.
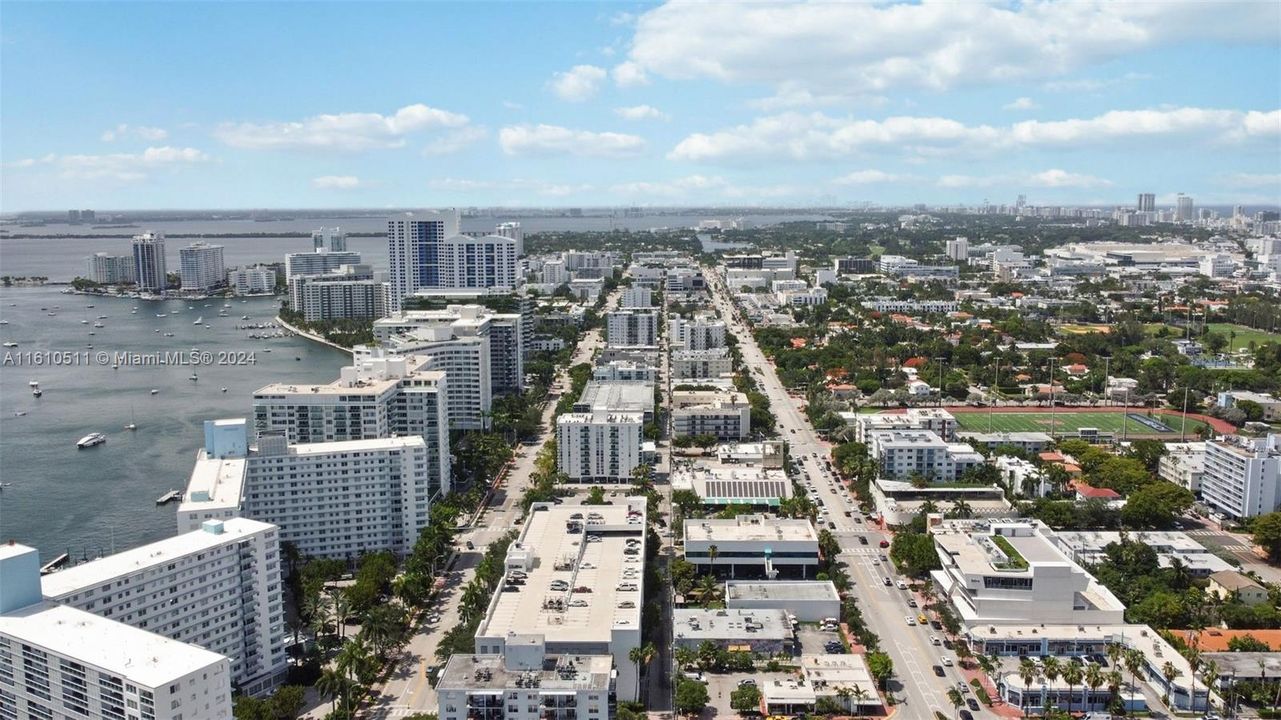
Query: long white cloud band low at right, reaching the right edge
x=819, y=136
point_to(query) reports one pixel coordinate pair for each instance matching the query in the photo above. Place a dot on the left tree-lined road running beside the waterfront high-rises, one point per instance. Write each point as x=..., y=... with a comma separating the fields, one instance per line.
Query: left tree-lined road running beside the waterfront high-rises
x=408, y=690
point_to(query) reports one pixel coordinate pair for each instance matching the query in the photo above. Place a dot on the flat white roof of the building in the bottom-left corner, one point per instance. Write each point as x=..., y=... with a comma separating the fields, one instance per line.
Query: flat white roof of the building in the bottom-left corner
x=145, y=658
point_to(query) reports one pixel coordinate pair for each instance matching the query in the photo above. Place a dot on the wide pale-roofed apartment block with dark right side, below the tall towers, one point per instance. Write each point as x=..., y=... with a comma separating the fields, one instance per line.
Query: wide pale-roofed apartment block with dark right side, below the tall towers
x=504, y=334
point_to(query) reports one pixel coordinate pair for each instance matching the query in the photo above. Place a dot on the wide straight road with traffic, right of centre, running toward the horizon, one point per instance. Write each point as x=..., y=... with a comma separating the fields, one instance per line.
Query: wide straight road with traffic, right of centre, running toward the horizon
x=885, y=608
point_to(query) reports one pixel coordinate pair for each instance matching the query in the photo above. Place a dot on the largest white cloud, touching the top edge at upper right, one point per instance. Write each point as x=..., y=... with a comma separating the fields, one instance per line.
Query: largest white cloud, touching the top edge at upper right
x=859, y=48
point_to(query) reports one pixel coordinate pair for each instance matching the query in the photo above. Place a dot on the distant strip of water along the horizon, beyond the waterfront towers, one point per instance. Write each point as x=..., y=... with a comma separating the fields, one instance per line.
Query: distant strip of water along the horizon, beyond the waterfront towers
x=63, y=258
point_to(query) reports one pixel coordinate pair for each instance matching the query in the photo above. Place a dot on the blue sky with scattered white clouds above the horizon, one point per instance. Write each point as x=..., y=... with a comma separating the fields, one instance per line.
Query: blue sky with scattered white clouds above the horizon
x=136, y=106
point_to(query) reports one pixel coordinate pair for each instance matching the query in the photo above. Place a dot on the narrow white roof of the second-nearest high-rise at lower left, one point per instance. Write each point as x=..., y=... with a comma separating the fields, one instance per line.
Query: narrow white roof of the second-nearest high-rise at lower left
x=94, y=573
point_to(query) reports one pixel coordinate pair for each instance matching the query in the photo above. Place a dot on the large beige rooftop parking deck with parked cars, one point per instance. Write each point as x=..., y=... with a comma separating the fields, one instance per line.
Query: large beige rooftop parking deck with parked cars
x=603, y=567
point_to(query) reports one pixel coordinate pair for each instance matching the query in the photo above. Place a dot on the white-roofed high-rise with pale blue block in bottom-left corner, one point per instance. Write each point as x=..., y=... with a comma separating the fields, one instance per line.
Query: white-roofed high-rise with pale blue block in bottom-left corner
x=60, y=663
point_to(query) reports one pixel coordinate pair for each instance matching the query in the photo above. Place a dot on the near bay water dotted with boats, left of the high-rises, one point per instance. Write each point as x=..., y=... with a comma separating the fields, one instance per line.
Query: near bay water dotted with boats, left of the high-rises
x=61, y=499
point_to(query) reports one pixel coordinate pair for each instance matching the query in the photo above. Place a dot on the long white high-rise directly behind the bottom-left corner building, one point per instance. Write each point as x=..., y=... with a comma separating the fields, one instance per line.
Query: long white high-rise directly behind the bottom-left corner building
x=227, y=577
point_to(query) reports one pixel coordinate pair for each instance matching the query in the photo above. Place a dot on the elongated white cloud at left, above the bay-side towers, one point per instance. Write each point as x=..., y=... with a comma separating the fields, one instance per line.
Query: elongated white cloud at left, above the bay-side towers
x=344, y=131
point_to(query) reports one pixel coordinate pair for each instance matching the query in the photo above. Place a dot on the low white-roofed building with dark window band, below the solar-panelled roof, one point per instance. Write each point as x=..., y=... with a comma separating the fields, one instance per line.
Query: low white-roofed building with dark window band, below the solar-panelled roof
x=760, y=546
